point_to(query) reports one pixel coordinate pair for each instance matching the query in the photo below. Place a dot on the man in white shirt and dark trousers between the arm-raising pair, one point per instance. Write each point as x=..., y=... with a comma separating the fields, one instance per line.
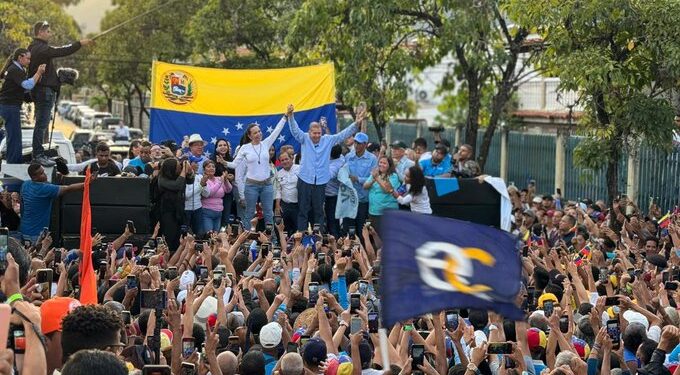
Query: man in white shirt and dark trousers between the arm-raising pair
x=285, y=192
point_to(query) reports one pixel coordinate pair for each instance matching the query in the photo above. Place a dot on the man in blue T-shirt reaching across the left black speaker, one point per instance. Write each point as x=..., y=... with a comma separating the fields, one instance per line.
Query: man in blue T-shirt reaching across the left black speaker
x=37, y=196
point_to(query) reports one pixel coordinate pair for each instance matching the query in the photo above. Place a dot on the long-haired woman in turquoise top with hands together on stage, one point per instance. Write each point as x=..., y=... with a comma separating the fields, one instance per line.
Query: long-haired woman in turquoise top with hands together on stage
x=382, y=183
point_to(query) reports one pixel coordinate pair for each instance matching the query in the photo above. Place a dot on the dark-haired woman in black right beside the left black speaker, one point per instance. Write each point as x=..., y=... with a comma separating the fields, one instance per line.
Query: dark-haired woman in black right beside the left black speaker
x=171, y=187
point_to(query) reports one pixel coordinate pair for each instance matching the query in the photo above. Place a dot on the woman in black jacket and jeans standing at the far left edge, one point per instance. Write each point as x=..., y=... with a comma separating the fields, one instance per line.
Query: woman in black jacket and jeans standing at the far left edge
x=14, y=88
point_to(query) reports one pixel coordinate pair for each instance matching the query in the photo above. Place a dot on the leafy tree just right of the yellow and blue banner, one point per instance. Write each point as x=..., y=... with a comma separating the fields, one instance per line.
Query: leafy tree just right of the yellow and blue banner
x=373, y=49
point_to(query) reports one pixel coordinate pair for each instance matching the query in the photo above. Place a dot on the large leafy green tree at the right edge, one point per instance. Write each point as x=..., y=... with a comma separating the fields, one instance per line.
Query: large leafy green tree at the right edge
x=623, y=57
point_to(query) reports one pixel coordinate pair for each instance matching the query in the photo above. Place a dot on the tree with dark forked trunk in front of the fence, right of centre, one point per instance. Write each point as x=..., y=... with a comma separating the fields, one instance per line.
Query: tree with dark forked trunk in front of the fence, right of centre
x=487, y=49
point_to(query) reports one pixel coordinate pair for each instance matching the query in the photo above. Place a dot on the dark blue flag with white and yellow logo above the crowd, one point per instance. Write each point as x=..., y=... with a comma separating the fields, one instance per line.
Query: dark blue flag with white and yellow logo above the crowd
x=431, y=263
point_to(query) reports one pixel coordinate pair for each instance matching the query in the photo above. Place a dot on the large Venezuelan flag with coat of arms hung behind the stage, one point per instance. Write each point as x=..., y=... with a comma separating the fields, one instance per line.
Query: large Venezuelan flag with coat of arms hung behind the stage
x=220, y=103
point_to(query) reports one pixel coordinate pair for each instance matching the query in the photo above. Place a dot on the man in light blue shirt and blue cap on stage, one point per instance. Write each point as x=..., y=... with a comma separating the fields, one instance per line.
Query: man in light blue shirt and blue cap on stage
x=361, y=164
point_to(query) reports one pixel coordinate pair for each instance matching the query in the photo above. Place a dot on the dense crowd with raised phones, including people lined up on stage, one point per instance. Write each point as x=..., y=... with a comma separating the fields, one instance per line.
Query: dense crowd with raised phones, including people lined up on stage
x=264, y=262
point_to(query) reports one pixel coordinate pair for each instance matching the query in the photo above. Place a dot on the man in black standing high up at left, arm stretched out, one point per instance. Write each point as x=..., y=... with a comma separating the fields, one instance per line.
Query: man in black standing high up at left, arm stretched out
x=45, y=91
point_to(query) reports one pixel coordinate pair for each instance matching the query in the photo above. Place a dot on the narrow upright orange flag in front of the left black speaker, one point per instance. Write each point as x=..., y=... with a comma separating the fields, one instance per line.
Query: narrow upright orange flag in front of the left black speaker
x=88, y=280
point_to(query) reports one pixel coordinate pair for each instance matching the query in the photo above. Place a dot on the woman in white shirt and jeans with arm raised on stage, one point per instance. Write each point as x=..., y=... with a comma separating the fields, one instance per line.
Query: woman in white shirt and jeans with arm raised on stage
x=253, y=171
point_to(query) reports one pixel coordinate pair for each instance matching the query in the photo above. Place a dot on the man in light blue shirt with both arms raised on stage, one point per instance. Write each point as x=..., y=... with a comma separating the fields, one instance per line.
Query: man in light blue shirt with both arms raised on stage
x=314, y=167
